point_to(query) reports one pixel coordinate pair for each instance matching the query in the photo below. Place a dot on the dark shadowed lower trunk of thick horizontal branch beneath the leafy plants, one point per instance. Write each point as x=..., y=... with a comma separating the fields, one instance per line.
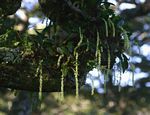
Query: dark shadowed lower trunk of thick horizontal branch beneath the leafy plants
x=20, y=78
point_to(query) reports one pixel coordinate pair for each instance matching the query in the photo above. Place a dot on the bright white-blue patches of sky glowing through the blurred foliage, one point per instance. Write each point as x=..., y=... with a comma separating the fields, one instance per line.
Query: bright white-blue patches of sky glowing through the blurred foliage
x=96, y=78
